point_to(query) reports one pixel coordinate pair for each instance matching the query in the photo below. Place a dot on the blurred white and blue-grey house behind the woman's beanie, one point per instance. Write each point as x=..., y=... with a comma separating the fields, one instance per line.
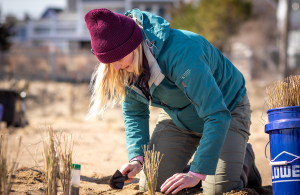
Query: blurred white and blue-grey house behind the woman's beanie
x=65, y=30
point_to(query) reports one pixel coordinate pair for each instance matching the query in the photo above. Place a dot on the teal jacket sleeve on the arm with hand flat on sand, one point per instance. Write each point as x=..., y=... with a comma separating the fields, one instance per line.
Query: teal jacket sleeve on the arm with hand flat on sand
x=192, y=74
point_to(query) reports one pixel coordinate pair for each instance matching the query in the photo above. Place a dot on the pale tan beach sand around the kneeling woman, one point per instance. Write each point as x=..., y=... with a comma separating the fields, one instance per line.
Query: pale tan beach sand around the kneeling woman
x=102, y=147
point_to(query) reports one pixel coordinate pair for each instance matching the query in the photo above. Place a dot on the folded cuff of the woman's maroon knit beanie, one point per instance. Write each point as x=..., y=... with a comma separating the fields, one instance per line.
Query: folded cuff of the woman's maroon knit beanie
x=123, y=50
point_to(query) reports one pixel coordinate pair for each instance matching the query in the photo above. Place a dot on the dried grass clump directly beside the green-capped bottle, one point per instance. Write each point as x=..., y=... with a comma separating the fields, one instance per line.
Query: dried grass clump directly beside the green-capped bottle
x=65, y=151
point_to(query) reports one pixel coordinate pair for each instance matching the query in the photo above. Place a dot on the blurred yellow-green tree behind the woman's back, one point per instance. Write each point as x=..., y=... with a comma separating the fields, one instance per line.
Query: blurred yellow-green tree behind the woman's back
x=215, y=20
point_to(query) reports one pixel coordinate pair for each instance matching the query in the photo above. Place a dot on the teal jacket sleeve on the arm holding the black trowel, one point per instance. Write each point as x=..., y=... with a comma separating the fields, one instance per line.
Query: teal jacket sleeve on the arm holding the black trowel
x=136, y=119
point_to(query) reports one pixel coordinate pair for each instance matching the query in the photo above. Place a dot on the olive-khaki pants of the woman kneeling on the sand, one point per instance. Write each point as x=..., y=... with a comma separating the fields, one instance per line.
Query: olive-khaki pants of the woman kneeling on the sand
x=178, y=146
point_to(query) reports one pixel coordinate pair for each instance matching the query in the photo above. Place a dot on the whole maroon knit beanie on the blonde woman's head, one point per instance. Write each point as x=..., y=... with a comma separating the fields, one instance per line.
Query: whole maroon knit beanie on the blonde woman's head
x=113, y=36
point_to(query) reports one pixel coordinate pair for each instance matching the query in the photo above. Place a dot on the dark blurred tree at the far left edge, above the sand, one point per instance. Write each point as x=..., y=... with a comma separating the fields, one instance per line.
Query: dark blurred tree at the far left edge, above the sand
x=6, y=30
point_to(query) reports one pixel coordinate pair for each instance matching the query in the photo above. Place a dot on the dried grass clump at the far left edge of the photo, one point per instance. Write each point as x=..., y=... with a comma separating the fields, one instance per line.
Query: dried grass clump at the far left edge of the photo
x=7, y=168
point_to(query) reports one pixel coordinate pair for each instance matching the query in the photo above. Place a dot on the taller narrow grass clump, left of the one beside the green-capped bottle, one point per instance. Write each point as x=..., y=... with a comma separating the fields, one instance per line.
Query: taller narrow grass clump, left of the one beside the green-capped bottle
x=50, y=162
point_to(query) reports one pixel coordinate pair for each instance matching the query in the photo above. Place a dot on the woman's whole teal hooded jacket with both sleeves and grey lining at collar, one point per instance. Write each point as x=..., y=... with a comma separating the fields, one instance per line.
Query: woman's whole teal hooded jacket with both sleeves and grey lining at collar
x=192, y=81
